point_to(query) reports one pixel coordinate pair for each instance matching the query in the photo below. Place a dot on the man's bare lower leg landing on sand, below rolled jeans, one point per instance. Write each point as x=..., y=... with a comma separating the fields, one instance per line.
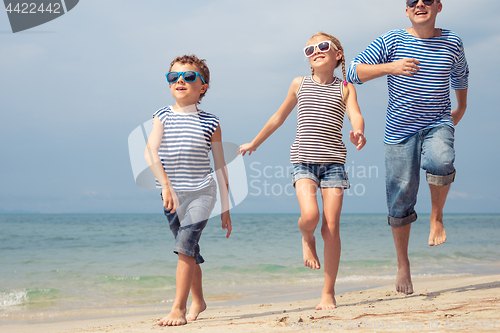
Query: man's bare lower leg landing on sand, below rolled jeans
x=403, y=278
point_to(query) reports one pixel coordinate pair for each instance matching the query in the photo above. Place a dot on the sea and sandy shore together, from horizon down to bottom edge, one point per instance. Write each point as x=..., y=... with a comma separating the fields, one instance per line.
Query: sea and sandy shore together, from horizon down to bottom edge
x=116, y=273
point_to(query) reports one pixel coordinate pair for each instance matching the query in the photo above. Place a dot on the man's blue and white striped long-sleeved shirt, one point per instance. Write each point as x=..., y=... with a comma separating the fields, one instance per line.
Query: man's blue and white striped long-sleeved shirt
x=422, y=101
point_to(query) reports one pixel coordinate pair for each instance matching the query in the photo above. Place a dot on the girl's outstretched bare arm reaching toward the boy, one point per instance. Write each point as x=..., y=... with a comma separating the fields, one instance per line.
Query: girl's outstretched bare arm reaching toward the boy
x=276, y=120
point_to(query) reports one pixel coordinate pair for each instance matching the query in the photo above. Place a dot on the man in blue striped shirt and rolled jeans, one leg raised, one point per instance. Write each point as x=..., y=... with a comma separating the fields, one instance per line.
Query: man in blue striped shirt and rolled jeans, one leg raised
x=419, y=63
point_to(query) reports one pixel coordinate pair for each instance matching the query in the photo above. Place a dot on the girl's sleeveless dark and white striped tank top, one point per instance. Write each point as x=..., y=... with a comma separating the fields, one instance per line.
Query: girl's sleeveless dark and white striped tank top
x=320, y=115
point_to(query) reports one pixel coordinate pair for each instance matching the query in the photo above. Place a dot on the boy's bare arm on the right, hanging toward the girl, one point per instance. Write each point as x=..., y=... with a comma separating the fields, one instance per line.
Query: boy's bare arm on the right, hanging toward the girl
x=222, y=179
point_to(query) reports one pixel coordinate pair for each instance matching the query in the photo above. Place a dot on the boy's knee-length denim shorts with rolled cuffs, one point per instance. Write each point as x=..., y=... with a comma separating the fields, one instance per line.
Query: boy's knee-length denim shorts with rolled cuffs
x=190, y=219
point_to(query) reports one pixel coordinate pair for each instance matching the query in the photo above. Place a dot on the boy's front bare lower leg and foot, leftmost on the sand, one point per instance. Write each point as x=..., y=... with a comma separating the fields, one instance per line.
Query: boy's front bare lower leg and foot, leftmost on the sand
x=183, y=280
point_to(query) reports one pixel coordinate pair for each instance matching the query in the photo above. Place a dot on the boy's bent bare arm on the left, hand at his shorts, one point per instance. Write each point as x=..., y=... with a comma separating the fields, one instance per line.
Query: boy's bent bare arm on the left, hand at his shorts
x=170, y=200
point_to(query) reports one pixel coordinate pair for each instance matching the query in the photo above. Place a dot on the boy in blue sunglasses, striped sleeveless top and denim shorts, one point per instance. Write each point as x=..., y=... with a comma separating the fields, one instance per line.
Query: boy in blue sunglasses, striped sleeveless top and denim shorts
x=177, y=153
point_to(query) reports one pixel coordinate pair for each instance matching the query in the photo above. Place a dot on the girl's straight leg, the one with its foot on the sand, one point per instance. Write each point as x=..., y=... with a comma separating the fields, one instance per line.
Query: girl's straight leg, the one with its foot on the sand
x=332, y=207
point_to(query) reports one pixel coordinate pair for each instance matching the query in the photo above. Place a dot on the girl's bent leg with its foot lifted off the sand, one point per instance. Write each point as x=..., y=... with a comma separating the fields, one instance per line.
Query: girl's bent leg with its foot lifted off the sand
x=309, y=217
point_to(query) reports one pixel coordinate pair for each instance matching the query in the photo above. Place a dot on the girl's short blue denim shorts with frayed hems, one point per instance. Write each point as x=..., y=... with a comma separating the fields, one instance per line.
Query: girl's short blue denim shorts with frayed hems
x=325, y=175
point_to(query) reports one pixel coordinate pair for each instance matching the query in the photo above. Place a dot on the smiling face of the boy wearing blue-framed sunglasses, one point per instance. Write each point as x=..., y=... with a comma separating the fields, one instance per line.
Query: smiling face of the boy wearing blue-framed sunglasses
x=186, y=93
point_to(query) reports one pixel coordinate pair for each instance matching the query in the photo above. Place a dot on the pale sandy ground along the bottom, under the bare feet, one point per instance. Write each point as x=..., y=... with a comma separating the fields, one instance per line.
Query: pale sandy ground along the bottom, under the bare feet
x=438, y=305
